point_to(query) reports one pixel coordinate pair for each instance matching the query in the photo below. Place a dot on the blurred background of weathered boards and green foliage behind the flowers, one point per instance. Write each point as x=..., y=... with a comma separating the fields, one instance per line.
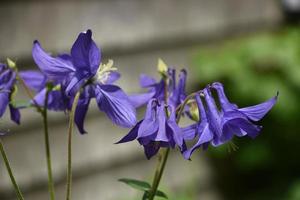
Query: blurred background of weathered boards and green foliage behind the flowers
x=252, y=46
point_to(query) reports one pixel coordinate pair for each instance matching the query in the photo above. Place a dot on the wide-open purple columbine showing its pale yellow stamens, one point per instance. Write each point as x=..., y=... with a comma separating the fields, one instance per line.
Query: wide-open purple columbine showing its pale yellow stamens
x=83, y=70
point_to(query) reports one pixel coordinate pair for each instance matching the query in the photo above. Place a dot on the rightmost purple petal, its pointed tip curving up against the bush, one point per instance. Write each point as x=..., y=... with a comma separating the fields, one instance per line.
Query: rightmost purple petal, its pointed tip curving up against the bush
x=257, y=112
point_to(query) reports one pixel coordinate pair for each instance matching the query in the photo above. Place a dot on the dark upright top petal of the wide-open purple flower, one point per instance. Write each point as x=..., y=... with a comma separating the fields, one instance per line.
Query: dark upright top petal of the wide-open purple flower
x=85, y=53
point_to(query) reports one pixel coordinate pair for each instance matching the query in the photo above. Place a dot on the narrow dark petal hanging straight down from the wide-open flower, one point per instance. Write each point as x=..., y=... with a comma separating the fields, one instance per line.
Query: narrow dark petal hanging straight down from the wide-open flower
x=80, y=113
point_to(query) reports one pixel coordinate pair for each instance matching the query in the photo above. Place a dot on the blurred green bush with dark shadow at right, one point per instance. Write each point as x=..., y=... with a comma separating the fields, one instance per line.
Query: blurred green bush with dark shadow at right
x=253, y=68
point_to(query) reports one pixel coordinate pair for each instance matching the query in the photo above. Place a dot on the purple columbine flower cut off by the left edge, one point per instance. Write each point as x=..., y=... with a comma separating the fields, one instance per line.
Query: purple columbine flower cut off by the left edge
x=7, y=89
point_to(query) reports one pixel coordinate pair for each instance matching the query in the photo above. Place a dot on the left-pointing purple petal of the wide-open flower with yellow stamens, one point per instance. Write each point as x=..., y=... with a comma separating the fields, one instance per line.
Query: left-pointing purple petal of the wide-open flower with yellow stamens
x=54, y=68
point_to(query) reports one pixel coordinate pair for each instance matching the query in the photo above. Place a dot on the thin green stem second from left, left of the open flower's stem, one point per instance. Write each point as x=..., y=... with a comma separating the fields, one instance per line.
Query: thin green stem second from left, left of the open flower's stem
x=47, y=148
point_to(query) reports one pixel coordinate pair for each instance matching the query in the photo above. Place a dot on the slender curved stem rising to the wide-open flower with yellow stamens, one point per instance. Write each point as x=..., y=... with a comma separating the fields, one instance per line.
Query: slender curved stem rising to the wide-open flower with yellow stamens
x=70, y=131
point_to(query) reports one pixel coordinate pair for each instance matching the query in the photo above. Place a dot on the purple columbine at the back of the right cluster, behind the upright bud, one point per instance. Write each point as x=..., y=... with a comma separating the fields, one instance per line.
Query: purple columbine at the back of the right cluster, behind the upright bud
x=156, y=90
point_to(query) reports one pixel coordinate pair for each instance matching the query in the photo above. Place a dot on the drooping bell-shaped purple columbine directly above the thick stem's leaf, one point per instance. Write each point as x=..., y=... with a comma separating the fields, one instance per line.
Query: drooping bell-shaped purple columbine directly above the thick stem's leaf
x=156, y=129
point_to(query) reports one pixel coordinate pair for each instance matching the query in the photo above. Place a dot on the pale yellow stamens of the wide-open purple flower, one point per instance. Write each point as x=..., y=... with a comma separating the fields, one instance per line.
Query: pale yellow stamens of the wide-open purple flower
x=104, y=71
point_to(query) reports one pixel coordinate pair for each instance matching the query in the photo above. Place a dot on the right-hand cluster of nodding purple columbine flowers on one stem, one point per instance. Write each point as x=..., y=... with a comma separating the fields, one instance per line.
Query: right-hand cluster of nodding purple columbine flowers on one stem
x=214, y=126
